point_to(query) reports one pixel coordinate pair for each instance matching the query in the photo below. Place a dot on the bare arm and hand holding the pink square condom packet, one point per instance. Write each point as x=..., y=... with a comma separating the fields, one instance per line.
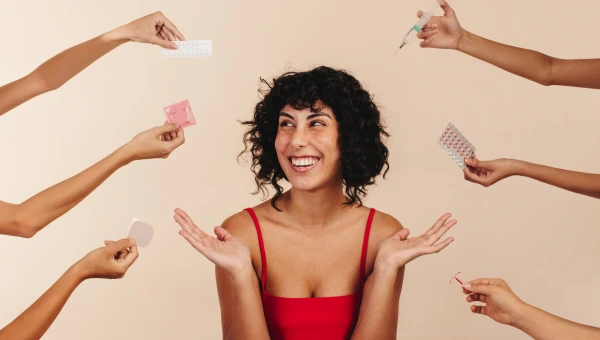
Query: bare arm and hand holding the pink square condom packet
x=31, y=216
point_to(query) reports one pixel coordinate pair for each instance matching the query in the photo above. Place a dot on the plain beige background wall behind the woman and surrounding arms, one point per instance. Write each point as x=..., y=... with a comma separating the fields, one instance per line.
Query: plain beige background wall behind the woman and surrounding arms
x=542, y=240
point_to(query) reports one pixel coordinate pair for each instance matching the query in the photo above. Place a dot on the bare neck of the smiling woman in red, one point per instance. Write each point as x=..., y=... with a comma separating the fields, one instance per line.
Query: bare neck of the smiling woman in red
x=314, y=209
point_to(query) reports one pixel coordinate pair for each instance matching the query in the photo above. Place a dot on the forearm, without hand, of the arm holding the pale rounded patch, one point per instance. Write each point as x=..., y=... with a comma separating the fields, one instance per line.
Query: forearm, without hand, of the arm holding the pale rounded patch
x=35, y=321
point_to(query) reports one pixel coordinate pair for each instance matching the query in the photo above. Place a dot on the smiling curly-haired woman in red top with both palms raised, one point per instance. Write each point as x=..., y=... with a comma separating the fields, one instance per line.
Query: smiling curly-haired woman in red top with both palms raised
x=335, y=267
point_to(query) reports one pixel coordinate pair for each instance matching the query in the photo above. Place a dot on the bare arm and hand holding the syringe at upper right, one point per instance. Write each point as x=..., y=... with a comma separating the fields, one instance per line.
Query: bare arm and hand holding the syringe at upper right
x=446, y=32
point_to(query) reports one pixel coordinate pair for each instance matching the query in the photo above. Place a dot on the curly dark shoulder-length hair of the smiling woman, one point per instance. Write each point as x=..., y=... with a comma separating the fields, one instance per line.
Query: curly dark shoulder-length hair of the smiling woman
x=361, y=132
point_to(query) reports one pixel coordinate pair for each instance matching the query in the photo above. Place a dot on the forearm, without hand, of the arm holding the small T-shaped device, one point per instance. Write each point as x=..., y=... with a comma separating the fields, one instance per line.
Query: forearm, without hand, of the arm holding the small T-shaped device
x=542, y=325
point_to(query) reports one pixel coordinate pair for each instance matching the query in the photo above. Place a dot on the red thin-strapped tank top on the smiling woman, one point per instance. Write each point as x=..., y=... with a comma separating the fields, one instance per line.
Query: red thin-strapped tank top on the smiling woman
x=321, y=318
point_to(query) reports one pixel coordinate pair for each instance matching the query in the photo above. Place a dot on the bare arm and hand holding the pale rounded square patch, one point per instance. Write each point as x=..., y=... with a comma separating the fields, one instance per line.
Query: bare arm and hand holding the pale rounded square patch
x=101, y=263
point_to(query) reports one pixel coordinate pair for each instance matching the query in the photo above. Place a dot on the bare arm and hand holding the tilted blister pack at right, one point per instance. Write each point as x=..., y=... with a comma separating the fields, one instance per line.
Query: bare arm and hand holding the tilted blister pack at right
x=487, y=173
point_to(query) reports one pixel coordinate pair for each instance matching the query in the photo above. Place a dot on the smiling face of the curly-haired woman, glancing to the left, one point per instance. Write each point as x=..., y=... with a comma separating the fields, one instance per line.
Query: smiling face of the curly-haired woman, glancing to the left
x=307, y=147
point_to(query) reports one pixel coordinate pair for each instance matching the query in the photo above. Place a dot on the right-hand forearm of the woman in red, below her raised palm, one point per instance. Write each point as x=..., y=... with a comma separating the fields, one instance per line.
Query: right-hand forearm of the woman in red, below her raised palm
x=378, y=318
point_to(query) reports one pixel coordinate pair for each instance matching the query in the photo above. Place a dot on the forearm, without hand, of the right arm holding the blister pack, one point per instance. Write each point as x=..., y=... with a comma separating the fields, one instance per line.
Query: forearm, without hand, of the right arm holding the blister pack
x=578, y=182
